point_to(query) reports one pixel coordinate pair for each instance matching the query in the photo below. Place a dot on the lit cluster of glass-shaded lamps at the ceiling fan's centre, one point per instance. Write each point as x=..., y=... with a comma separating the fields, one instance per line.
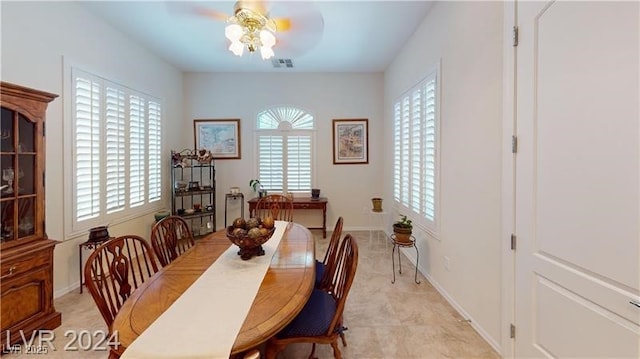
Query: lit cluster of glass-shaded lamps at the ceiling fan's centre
x=251, y=29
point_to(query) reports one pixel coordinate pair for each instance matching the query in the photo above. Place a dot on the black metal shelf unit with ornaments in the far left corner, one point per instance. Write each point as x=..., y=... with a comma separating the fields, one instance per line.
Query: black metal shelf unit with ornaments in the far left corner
x=193, y=190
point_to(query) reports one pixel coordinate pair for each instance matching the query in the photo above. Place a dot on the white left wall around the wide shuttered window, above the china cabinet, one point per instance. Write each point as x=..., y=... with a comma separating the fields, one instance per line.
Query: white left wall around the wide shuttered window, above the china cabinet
x=35, y=38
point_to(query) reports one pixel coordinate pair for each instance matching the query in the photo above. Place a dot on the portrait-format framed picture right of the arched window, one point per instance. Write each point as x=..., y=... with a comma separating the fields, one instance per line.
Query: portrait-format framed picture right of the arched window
x=350, y=141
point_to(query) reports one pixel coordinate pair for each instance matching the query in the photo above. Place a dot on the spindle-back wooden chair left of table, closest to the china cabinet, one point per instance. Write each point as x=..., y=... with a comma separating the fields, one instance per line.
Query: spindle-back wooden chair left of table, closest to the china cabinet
x=115, y=269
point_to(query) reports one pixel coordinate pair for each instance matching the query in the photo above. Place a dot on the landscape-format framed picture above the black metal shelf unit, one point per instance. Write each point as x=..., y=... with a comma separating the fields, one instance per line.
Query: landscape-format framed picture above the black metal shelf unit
x=221, y=137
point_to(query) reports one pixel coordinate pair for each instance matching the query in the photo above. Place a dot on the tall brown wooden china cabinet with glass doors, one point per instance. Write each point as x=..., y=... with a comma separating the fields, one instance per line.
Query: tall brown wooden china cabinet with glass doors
x=26, y=254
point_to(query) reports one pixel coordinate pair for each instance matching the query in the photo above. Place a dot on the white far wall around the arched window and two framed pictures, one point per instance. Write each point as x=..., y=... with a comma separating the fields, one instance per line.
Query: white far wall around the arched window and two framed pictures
x=349, y=188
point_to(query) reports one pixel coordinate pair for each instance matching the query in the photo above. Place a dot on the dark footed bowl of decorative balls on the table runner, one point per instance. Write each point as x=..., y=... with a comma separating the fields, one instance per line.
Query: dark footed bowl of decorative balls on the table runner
x=250, y=235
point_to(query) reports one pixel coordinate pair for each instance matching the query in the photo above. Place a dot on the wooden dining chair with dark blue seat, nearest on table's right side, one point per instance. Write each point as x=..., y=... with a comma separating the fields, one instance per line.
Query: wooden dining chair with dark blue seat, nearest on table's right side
x=320, y=321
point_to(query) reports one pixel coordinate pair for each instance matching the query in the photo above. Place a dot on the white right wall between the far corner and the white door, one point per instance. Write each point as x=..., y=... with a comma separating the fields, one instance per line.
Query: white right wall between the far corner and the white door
x=466, y=39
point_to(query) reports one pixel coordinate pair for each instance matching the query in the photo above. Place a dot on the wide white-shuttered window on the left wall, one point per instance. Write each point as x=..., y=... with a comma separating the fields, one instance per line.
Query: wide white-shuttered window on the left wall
x=115, y=151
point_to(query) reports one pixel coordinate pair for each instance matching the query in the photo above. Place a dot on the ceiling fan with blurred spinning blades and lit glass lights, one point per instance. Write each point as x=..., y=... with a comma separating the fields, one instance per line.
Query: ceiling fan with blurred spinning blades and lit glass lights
x=290, y=28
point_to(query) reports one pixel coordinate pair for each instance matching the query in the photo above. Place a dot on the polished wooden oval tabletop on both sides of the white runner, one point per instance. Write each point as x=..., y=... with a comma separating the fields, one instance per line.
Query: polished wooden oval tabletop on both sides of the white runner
x=283, y=292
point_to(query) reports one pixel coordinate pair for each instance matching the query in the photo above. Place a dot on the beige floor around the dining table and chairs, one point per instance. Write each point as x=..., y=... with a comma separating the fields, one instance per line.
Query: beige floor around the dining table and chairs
x=401, y=320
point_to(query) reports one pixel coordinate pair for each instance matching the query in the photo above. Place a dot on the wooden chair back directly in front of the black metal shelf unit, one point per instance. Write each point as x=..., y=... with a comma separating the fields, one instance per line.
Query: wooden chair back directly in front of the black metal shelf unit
x=170, y=237
